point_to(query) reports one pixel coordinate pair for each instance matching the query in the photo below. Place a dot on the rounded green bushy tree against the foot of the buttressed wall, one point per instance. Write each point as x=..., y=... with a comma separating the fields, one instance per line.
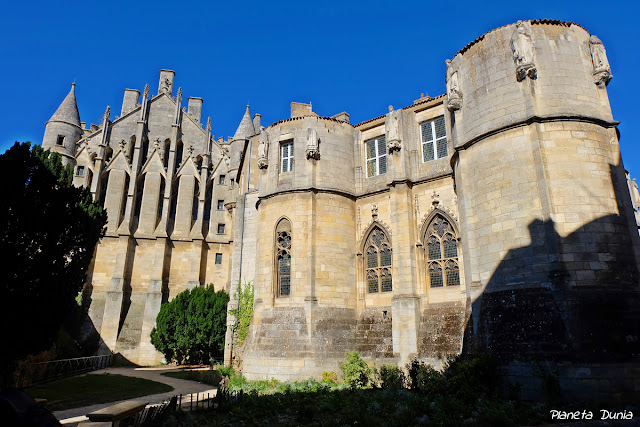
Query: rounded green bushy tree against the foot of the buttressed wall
x=191, y=327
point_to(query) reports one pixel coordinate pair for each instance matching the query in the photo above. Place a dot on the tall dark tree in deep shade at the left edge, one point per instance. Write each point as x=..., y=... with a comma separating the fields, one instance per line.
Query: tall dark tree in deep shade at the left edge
x=49, y=230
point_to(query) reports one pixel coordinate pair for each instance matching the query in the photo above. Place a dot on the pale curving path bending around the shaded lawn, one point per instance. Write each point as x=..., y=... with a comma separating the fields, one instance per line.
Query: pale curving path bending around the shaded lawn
x=73, y=416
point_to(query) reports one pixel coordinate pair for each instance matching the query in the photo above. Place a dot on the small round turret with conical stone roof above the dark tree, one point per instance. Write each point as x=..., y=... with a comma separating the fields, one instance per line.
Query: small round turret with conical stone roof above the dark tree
x=63, y=129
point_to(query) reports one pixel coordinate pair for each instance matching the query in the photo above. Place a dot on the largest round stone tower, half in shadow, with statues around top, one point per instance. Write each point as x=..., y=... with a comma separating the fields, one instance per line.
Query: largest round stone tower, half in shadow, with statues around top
x=546, y=227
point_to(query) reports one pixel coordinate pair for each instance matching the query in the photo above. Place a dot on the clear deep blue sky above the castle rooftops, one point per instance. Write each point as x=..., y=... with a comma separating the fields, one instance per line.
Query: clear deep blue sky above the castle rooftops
x=357, y=57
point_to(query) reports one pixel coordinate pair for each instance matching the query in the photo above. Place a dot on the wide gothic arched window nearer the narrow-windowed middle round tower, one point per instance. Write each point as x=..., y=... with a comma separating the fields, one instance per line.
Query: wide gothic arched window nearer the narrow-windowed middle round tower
x=378, y=261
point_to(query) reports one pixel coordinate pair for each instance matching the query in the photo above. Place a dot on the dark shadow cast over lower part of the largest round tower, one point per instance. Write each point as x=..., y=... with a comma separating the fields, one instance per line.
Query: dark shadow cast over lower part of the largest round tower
x=569, y=301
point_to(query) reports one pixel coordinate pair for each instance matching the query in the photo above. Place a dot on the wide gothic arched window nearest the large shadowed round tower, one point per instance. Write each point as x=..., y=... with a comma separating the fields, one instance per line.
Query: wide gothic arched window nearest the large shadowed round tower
x=441, y=247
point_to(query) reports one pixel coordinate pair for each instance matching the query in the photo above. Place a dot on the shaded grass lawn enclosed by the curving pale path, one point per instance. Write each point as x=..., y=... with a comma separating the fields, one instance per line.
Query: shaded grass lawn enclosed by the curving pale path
x=91, y=389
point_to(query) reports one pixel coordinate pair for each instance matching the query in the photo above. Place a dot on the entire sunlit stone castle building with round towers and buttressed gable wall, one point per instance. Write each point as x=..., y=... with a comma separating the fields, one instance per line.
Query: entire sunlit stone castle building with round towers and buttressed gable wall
x=498, y=212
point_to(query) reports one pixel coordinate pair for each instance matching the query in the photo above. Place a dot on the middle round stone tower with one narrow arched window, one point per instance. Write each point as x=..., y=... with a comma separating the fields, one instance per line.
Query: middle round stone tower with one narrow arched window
x=305, y=308
